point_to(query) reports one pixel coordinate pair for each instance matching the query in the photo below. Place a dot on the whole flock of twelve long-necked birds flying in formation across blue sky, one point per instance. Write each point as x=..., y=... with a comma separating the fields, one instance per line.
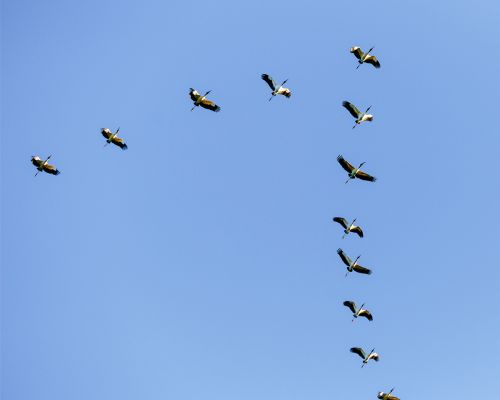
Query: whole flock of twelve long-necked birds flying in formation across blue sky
x=352, y=171
